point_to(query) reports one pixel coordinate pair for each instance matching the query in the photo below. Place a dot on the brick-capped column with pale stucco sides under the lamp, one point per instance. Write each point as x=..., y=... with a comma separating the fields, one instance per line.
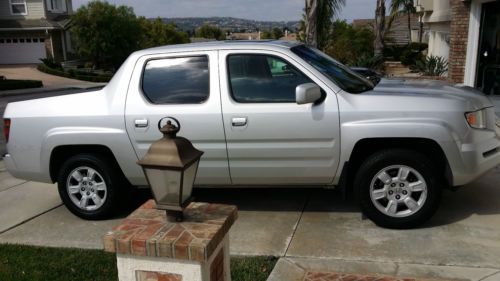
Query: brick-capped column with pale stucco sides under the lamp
x=149, y=248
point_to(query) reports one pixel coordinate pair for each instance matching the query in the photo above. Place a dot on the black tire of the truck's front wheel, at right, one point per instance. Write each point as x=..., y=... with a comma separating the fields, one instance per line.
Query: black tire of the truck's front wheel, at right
x=386, y=159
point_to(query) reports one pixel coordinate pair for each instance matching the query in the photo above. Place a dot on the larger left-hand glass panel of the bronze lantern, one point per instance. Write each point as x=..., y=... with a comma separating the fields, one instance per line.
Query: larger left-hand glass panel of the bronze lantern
x=166, y=185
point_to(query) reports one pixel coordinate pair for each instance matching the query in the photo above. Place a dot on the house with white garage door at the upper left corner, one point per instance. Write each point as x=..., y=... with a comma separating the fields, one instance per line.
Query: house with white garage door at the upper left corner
x=34, y=29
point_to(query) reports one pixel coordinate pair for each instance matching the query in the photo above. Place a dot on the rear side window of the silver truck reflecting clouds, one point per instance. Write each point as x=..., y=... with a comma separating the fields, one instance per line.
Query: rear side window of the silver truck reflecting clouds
x=176, y=80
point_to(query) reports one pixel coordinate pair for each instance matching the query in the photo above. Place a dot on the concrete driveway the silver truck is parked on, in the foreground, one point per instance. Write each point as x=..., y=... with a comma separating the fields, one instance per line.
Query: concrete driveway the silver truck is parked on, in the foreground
x=310, y=229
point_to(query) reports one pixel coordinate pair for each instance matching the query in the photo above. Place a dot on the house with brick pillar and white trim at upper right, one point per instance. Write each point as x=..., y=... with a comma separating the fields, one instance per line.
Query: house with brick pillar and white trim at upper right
x=467, y=33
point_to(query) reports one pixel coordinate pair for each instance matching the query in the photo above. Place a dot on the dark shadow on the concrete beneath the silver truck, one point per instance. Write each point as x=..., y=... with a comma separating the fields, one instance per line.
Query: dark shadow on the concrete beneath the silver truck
x=480, y=198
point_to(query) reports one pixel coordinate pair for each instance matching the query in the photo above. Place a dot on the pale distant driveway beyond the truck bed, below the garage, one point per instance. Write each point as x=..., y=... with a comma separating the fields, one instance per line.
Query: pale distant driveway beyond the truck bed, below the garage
x=30, y=72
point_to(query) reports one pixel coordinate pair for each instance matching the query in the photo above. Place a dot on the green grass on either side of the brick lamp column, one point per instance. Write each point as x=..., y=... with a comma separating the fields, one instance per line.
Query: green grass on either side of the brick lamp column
x=23, y=263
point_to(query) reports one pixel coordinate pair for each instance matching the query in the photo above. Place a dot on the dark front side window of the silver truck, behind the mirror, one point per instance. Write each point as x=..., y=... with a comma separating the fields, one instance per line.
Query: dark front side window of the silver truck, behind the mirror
x=263, y=78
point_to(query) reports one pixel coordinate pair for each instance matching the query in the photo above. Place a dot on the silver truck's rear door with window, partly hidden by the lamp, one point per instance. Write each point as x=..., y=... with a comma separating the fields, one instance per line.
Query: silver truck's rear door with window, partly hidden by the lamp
x=184, y=86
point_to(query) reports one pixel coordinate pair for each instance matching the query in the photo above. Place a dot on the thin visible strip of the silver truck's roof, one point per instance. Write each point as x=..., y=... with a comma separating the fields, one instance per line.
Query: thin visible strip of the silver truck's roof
x=218, y=45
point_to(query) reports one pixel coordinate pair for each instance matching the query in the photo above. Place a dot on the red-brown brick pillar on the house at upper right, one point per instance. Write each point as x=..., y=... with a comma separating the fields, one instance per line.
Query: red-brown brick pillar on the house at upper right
x=459, y=33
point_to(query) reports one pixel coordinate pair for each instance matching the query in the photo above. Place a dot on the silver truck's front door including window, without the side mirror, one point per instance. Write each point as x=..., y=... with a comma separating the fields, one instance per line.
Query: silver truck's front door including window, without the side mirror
x=270, y=138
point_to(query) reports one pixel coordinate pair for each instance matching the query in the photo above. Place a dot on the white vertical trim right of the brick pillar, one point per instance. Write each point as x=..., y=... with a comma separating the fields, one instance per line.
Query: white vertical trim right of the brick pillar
x=473, y=41
